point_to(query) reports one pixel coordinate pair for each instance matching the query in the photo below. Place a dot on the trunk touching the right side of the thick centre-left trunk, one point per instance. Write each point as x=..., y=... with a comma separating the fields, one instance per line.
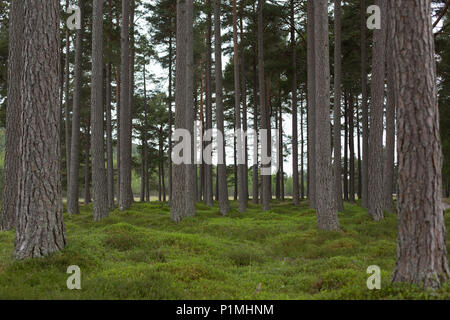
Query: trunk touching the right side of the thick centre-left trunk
x=191, y=178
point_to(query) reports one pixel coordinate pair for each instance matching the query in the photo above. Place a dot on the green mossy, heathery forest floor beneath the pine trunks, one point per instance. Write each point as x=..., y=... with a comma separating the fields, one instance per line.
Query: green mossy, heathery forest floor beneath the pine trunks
x=141, y=254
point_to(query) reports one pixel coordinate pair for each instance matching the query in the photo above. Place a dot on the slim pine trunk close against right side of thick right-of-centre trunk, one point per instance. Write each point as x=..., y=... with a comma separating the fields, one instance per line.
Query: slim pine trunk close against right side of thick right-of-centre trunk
x=337, y=105
